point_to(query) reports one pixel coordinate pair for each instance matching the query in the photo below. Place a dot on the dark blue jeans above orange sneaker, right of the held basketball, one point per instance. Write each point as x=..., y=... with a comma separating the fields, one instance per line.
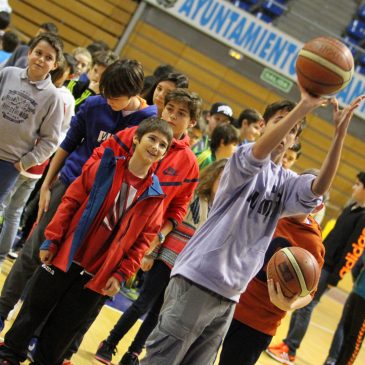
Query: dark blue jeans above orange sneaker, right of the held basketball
x=300, y=318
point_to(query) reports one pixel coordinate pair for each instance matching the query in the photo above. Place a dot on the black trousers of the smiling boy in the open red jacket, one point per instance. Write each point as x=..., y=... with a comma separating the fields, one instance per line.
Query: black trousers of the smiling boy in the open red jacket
x=68, y=303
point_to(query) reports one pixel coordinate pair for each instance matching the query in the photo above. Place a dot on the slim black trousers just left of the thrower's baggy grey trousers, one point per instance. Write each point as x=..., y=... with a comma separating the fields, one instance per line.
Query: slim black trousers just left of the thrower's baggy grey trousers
x=150, y=299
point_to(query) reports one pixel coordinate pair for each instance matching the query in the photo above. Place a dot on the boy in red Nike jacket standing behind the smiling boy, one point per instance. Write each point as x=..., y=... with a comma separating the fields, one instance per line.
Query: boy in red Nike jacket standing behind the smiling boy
x=178, y=173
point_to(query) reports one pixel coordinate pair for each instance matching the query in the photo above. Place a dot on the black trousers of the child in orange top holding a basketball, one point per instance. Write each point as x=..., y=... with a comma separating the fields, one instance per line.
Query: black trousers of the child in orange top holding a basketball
x=243, y=345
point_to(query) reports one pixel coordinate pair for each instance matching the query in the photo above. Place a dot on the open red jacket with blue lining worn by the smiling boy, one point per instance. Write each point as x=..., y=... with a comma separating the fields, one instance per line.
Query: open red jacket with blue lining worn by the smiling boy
x=79, y=216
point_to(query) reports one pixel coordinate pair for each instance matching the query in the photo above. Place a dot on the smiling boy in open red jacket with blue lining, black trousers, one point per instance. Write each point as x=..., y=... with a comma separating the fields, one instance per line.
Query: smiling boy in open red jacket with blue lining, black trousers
x=96, y=240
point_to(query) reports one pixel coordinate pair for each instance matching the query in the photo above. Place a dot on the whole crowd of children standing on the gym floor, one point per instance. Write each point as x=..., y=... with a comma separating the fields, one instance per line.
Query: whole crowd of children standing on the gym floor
x=131, y=173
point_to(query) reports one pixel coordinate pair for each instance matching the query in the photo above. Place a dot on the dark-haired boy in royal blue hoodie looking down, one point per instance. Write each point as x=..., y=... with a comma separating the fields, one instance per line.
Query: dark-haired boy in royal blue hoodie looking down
x=99, y=117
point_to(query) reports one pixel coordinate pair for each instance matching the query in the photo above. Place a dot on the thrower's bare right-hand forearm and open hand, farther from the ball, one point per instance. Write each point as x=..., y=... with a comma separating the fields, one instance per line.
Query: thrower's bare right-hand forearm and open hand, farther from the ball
x=330, y=164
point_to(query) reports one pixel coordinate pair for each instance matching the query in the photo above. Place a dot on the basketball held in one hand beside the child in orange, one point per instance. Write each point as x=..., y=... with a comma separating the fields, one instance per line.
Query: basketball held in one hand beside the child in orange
x=295, y=269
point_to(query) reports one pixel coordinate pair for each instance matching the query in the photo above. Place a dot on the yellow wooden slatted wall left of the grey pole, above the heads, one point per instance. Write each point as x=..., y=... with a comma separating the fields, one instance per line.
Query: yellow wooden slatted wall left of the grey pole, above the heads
x=79, y=21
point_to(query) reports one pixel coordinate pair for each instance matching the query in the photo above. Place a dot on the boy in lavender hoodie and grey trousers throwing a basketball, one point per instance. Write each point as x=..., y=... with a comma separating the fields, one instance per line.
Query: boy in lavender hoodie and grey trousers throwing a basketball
x=229, y=249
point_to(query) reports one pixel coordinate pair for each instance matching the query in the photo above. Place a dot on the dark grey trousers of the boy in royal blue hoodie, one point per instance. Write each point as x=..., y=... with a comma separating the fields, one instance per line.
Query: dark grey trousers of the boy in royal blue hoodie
x=28, y=260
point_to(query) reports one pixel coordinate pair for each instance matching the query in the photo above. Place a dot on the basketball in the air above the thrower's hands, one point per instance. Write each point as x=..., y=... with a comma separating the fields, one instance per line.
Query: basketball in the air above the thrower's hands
x=324, y=66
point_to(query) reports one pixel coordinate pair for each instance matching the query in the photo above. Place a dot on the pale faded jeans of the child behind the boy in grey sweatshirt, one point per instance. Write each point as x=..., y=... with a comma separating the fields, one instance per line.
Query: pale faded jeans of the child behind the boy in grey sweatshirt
x=15, y=202
